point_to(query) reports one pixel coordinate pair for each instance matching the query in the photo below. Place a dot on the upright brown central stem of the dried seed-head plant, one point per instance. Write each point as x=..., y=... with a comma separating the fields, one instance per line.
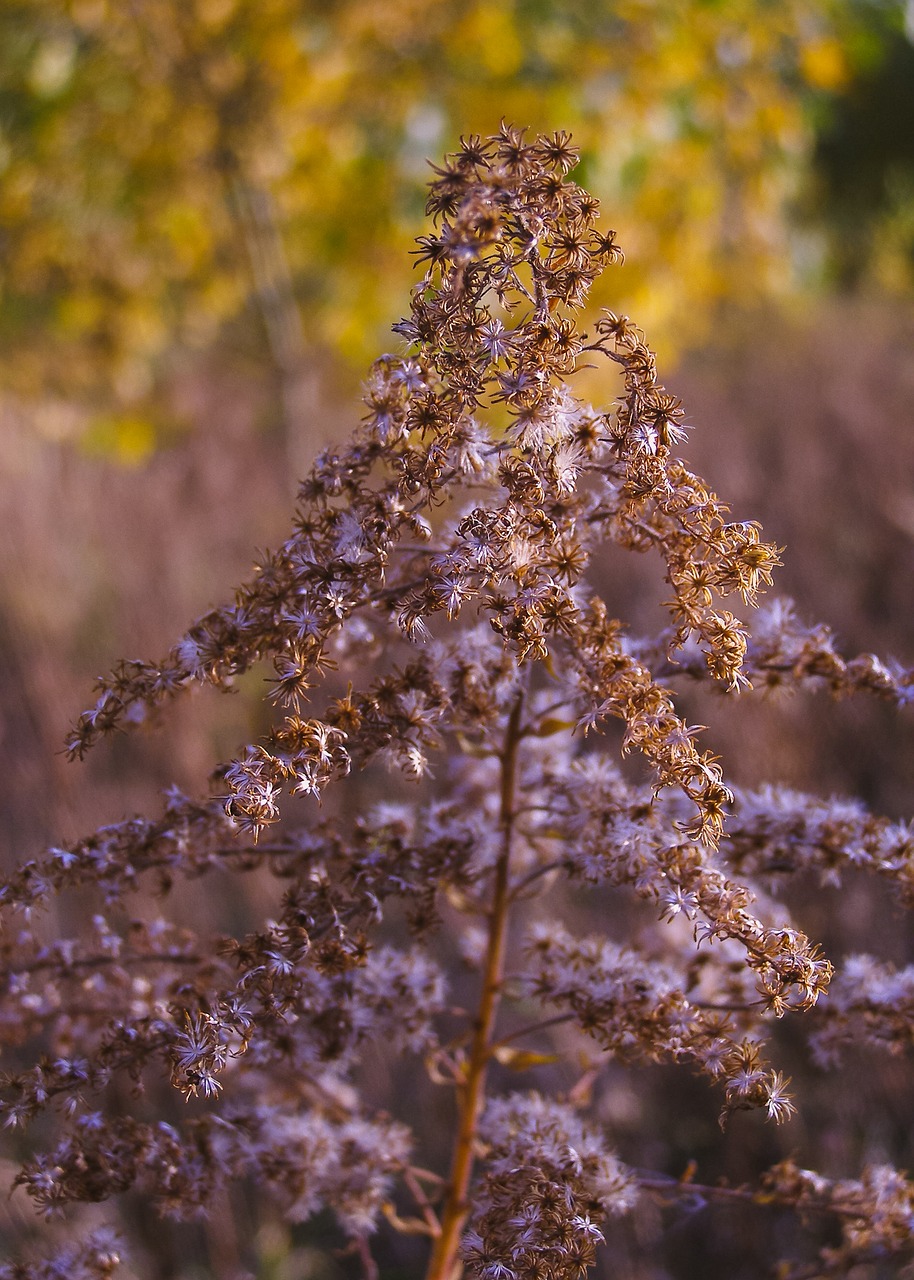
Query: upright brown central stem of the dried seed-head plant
x=456, y=1209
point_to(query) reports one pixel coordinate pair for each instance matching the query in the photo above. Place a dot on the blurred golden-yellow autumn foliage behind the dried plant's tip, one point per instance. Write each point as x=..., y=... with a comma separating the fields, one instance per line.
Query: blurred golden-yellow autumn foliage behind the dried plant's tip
x=184, y=173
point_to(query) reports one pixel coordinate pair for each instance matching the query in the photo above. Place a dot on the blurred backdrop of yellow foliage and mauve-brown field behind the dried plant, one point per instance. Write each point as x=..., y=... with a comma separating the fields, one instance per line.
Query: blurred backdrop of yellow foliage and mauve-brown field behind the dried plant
x=207, y=209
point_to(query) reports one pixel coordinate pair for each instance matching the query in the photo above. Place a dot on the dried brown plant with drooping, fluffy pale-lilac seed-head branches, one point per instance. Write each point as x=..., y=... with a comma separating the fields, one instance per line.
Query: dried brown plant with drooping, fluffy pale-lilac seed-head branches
x=436, y=587
